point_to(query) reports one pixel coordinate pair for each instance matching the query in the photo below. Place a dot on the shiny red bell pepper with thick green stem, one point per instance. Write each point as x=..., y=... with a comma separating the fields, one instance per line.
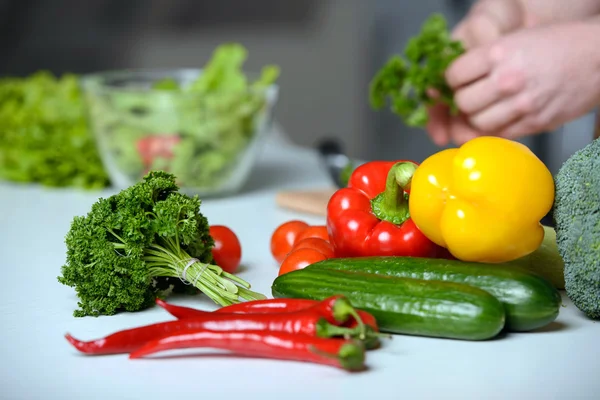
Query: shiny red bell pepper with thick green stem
x=370, y=217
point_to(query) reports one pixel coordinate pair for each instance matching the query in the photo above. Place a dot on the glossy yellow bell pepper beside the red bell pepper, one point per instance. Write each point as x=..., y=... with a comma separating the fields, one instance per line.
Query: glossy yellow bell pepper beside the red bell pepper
x=483, y=201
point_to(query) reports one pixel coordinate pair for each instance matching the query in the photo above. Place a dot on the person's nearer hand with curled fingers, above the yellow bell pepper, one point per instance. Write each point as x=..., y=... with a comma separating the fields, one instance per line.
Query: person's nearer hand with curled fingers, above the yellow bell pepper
x=523, y=83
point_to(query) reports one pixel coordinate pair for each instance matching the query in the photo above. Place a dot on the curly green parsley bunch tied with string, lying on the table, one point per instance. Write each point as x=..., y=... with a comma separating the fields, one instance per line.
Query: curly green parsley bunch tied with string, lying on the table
x=121, y=255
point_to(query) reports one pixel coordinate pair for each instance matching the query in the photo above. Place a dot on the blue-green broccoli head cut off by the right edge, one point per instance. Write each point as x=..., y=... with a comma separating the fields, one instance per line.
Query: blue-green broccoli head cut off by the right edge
x=577, y=217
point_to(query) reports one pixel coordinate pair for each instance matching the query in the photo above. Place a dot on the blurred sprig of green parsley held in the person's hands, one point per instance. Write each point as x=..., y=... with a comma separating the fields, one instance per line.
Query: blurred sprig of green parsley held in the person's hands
x=404, y=82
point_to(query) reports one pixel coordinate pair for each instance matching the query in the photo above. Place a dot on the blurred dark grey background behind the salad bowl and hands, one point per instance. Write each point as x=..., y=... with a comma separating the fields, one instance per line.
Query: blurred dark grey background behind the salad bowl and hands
x=328, y=51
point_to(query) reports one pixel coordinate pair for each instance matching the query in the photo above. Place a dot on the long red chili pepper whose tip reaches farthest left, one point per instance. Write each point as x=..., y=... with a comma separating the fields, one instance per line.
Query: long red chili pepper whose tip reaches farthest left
x=307, y=322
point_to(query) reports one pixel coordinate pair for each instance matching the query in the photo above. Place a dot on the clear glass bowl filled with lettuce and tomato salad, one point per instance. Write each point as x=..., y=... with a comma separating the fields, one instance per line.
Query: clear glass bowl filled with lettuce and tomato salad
x=184, y=121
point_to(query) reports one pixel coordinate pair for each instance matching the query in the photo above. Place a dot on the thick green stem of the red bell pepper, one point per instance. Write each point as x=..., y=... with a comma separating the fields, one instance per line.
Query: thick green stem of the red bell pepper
x=392, y=204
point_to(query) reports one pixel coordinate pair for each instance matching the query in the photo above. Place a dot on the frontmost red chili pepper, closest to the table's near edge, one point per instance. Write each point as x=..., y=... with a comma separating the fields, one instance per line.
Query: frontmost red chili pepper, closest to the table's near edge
x=346, y=354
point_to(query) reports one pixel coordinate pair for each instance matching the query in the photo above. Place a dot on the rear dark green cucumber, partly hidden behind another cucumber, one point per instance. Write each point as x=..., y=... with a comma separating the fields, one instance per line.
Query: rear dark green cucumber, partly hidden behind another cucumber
x=530, y=300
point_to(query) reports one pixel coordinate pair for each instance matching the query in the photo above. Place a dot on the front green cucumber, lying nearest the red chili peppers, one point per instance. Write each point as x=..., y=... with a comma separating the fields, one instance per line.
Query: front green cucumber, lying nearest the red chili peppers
x=403, y=305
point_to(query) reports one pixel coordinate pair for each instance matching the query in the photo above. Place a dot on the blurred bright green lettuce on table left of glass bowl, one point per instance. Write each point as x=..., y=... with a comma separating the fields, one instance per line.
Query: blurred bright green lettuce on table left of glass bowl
x=44, y=137
